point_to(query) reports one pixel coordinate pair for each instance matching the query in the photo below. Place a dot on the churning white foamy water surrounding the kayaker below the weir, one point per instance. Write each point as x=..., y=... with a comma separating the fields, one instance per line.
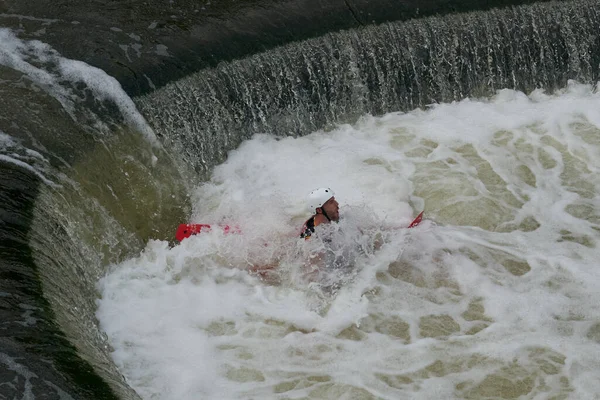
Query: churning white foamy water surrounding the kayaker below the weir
x=495, y=295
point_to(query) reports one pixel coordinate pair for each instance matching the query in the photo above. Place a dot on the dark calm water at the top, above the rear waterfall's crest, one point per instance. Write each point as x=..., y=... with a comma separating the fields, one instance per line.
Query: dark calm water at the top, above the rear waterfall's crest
x=146, y=44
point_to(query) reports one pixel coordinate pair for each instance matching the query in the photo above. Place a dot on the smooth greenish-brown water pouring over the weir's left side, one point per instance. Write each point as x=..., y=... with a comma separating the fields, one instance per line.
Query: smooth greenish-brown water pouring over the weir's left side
x=86, y=176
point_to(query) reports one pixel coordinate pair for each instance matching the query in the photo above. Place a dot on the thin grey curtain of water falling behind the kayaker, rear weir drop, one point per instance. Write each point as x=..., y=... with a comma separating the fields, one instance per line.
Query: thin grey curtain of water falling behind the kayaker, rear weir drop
x=321, y=82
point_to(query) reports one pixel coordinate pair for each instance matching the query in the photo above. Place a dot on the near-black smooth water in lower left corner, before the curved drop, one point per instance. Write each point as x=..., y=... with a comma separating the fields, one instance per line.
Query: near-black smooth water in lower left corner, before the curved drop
x=34, y=353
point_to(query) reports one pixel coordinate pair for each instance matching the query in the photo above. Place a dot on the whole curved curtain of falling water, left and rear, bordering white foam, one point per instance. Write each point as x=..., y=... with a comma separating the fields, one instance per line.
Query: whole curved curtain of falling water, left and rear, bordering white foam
x=84, y=184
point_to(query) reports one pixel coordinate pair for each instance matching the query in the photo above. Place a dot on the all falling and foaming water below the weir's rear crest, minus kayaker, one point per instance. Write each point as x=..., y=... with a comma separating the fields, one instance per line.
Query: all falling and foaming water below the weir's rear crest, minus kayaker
x=494, y=298
